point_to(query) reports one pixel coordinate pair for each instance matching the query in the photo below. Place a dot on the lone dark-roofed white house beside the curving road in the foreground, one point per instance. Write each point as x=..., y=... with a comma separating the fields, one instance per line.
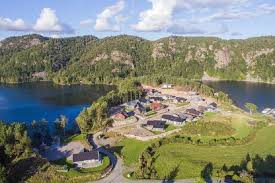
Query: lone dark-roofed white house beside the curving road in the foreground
x=87, y=159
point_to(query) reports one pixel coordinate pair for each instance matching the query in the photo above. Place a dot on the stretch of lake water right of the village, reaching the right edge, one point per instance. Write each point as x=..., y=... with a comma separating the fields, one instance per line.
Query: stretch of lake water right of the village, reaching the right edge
x=263, y=95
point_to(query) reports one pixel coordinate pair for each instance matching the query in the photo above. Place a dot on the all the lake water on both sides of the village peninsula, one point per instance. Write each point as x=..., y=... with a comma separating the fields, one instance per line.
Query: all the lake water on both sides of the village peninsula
x=35, y=101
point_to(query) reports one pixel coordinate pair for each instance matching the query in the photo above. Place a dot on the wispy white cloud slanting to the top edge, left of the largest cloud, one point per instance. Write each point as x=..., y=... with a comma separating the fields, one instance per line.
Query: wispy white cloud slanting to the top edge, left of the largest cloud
x=109, y=19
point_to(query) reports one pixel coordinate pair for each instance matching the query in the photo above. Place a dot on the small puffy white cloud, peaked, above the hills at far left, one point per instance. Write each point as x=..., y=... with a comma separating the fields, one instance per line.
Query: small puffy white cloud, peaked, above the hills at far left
x=49, y=22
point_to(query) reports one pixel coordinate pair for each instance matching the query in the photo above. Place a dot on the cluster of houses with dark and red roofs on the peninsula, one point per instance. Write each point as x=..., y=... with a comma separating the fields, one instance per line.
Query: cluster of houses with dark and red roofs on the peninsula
x=154, y=101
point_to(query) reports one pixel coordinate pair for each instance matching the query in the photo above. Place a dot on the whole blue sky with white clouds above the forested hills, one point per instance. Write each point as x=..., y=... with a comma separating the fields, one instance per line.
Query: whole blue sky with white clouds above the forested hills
x=151, y=19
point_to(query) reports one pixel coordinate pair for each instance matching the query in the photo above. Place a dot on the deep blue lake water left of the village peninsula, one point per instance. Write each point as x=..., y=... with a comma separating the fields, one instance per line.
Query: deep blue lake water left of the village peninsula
x=35, y=101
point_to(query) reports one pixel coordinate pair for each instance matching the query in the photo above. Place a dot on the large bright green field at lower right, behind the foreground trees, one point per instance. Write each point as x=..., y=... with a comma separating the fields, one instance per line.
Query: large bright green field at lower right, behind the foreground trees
x=191, y=159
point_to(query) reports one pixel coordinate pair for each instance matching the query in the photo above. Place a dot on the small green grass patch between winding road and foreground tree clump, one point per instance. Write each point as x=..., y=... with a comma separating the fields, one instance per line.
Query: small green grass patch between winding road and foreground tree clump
x=130, y=149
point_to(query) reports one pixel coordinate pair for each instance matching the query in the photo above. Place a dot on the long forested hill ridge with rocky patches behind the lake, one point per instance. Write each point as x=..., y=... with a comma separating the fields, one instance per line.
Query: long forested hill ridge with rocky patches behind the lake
x=88, y=59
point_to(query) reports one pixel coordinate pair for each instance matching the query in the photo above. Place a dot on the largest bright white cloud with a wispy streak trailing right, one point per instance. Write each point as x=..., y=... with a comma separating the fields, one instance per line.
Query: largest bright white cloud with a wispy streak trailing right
x=160, y=16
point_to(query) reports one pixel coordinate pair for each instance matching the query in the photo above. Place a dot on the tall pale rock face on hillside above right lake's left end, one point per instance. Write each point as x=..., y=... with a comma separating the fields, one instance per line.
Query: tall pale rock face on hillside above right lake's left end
x=222, y=57
